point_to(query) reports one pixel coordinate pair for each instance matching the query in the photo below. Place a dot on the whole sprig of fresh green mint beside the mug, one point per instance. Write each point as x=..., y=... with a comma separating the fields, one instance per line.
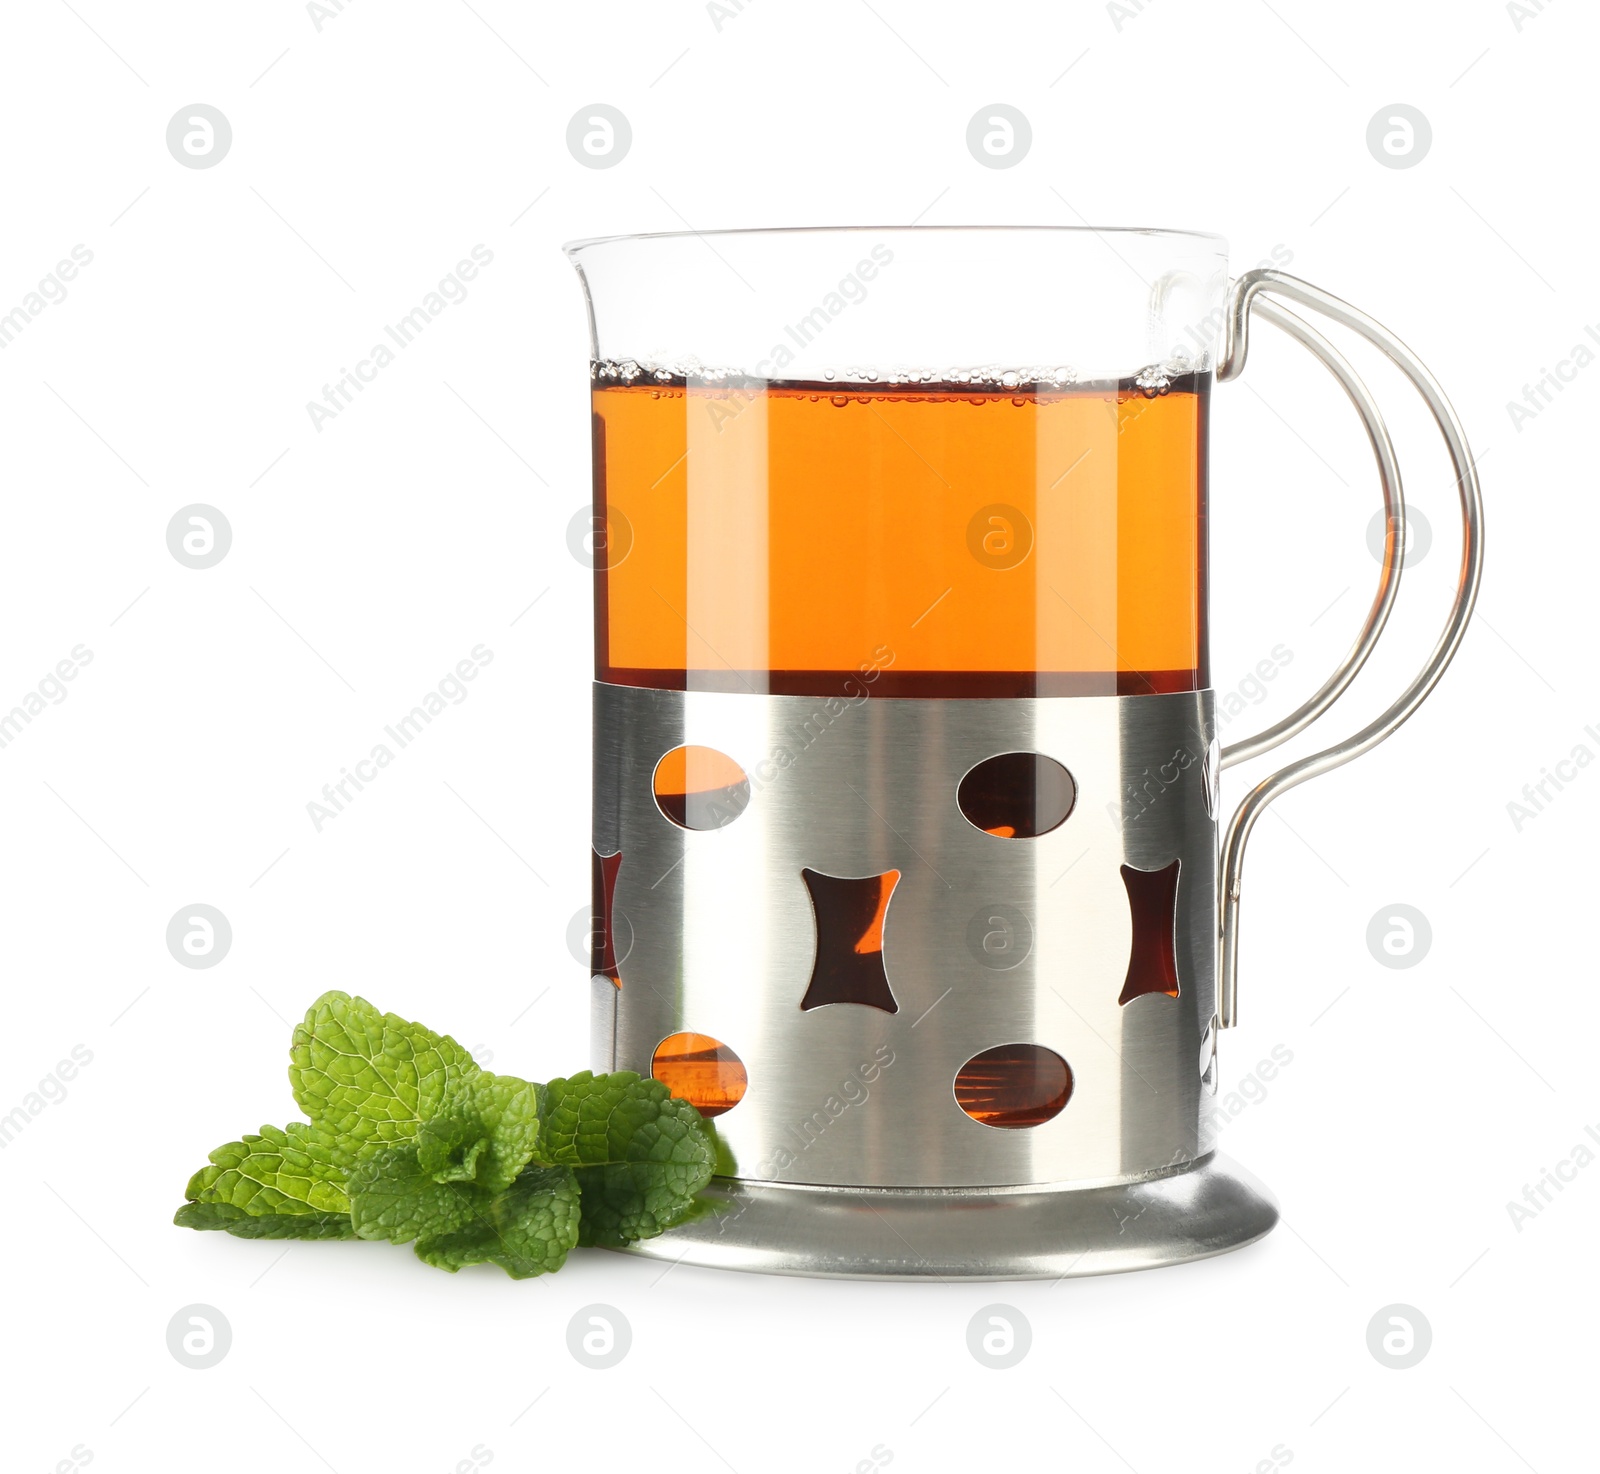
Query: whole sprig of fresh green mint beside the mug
x=409, y=1142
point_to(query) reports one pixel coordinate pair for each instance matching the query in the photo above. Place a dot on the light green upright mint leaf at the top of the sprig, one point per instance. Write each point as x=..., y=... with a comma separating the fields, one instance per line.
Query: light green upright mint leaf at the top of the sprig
x=372, y=1078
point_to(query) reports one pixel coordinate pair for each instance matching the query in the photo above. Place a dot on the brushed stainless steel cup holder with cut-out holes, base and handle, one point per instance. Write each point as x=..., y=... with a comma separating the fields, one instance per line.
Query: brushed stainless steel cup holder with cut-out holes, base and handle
x=716, y=932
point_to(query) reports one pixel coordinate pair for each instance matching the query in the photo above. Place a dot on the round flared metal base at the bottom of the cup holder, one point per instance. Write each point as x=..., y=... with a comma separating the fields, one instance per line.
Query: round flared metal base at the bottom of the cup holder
x=974, y=1233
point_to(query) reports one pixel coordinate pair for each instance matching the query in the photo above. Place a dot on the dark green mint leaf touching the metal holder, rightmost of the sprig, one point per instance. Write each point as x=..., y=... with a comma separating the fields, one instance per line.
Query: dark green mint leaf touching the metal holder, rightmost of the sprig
x=641, y=1156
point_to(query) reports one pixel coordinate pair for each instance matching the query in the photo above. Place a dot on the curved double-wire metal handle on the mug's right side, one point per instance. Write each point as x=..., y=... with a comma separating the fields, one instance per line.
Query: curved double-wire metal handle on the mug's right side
x=1246, y=298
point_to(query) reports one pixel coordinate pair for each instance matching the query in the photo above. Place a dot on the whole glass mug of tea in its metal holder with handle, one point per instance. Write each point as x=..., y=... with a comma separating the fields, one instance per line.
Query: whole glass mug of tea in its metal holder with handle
x=900, y=591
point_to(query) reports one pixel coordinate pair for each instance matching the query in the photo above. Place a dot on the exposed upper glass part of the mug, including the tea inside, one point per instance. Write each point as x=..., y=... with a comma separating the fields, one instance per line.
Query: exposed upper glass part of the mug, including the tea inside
x=882, y=465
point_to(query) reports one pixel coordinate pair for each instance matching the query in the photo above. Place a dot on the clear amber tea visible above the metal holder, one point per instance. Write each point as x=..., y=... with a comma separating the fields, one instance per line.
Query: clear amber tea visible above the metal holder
x=998, y=537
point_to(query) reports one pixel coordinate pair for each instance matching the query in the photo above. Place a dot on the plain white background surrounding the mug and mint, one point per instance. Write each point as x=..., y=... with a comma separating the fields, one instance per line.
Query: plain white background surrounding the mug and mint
x=431, y=516
